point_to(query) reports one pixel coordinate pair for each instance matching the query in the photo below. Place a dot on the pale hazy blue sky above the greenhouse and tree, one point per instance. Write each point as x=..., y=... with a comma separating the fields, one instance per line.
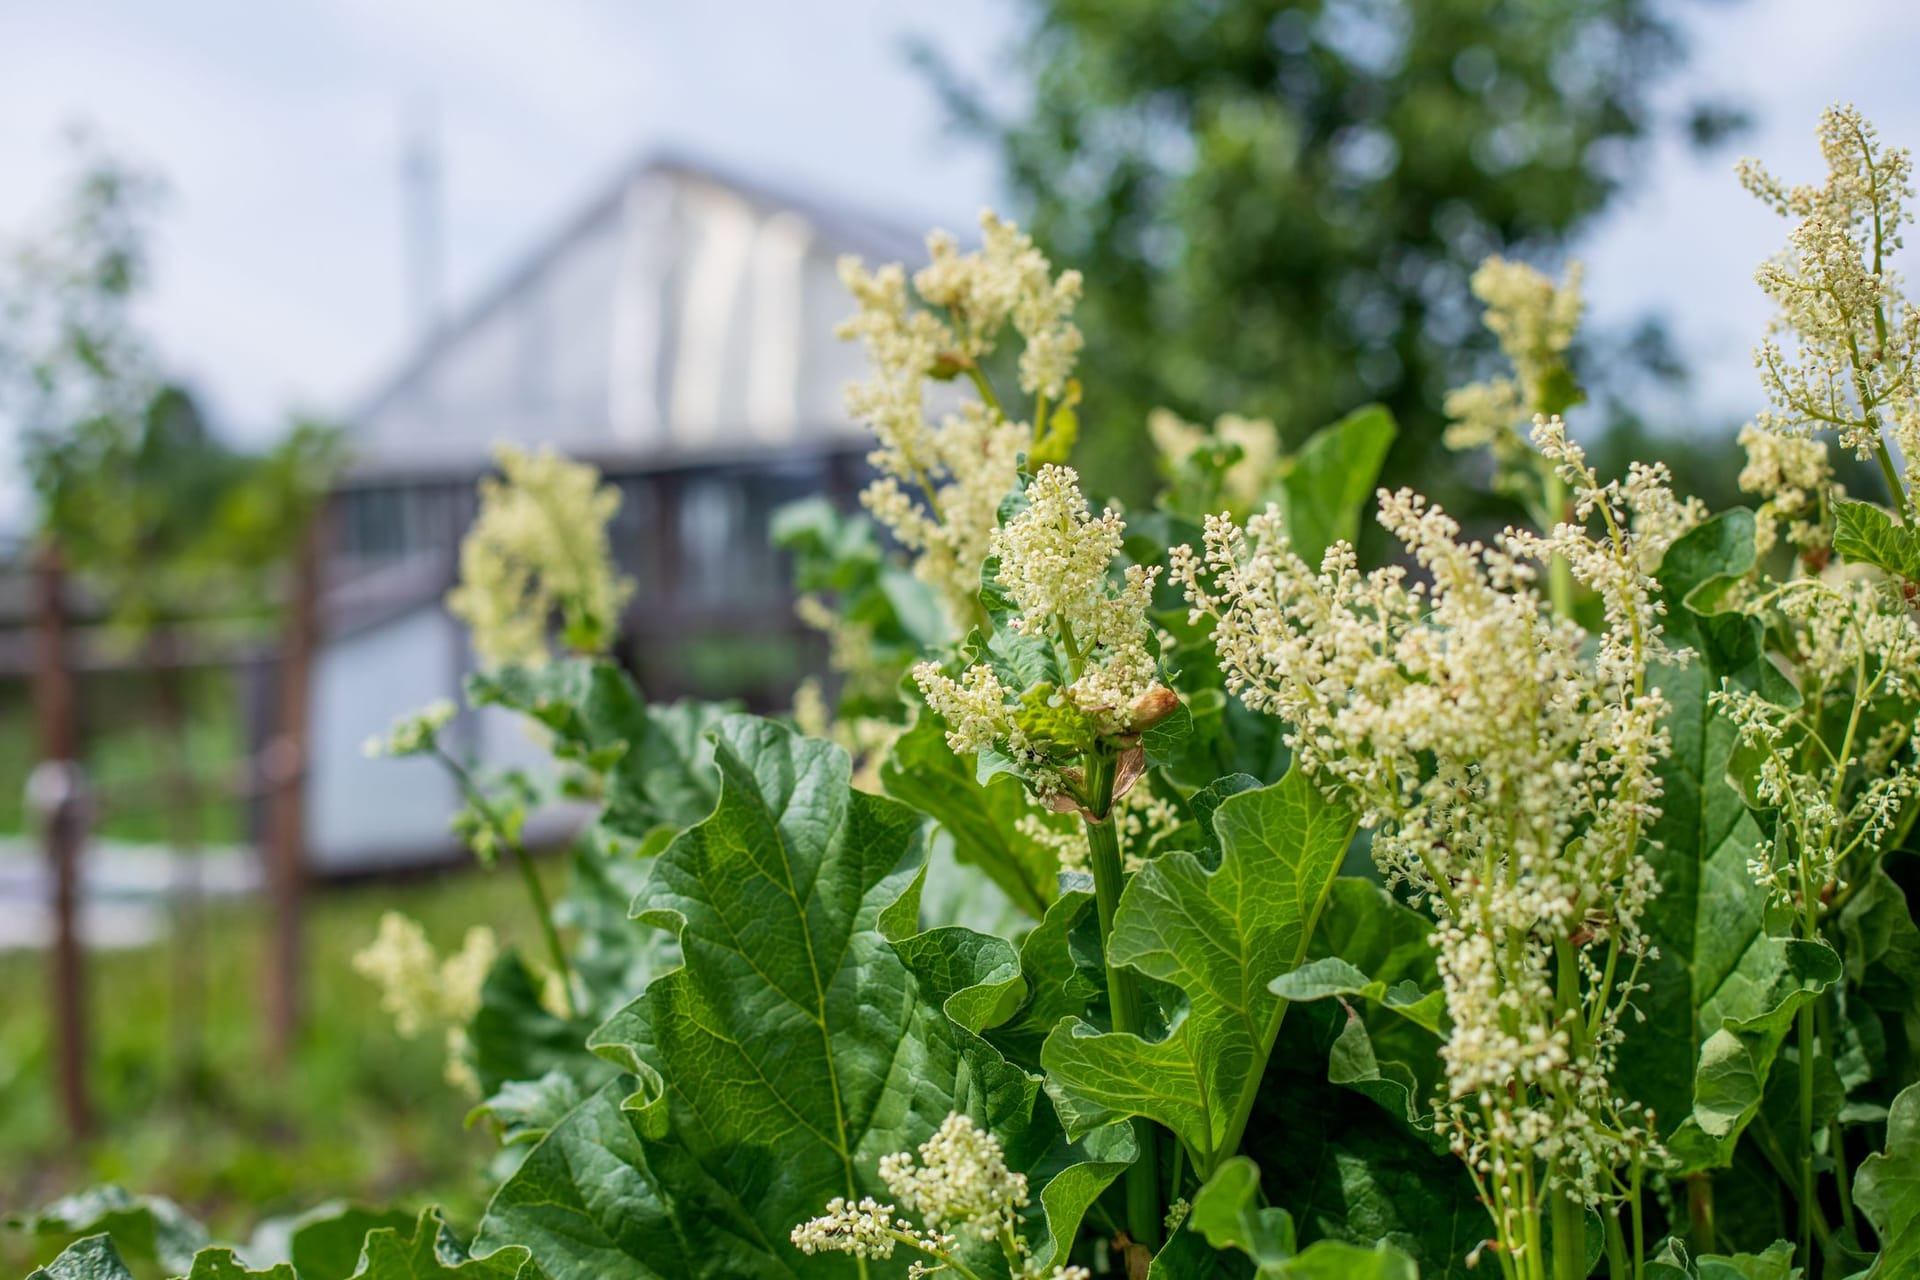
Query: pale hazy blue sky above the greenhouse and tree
x=281, y=279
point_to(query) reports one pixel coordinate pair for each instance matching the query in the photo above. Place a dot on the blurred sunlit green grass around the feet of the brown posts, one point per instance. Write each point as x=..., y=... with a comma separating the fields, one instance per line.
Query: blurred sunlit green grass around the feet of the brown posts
x=358, y=1114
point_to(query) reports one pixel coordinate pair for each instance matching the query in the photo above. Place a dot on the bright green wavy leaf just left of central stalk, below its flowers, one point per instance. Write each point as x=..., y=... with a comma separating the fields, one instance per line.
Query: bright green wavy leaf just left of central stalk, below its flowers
x=980, y=818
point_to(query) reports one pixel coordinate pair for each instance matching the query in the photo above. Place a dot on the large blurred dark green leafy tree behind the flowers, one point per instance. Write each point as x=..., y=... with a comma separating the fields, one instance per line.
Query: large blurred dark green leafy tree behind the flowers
x=1278, y=202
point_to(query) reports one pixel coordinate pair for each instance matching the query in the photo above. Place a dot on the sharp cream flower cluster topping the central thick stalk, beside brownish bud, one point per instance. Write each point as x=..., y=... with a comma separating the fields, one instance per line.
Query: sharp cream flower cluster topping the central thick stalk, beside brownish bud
x=1055, y=567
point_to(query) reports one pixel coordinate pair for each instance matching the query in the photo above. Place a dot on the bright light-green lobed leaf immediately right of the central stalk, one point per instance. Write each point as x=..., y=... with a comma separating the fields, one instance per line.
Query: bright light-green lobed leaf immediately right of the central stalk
x=1220, y=937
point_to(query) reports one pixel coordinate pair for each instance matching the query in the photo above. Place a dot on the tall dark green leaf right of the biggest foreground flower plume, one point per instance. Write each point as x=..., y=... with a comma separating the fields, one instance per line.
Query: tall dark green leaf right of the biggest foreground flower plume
x=1721, y=989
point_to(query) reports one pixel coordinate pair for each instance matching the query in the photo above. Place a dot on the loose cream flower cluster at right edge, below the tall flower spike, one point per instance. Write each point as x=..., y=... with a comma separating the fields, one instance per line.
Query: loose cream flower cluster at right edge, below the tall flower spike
x=1858, y=652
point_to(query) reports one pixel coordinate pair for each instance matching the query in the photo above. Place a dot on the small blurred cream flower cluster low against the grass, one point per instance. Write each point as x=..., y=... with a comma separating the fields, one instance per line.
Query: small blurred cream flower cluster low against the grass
x=421, y=991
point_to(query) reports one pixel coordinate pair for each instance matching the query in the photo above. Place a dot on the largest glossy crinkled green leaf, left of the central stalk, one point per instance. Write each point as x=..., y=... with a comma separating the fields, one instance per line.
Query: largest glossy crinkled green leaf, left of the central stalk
x=782, y=1060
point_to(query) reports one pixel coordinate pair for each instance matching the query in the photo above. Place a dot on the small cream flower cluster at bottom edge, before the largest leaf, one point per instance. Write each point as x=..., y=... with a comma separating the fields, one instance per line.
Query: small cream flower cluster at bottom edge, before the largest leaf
x=965, y=1197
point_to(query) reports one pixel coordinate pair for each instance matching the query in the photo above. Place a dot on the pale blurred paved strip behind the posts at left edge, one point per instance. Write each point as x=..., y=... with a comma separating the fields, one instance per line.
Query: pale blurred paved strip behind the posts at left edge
x=126, y=889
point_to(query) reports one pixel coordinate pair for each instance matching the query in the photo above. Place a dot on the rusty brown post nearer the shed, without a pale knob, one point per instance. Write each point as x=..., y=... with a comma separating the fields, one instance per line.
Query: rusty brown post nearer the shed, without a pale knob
x=287, y=811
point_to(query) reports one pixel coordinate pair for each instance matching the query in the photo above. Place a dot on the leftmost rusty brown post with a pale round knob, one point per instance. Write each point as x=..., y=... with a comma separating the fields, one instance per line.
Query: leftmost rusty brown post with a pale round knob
x=59, y=795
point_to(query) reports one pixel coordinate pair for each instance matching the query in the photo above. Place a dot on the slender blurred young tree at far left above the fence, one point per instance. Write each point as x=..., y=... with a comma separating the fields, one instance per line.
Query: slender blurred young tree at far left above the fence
x=147, y=504
